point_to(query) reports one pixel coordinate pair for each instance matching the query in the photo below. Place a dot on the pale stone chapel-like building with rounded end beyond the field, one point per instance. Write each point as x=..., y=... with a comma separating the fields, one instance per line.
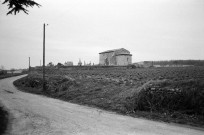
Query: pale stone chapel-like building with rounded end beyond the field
x=116, y=57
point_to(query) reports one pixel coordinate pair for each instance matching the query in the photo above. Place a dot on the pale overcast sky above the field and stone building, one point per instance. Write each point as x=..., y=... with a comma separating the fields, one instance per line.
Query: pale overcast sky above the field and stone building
x=80, y=29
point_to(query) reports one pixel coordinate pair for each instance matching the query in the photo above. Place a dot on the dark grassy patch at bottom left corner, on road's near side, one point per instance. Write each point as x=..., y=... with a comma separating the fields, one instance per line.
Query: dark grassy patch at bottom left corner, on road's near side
x=3, y=121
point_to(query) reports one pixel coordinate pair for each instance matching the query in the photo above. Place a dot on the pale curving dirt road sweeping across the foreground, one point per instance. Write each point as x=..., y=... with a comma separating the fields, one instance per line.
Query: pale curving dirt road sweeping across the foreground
x=39, y=115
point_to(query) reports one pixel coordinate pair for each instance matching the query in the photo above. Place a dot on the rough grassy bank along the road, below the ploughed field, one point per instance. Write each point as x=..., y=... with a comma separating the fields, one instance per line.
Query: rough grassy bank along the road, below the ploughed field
x=162, y=100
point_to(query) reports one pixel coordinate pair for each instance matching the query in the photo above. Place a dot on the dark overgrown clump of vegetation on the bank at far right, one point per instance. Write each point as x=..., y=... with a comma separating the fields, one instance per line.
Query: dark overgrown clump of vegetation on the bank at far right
x=187, y=98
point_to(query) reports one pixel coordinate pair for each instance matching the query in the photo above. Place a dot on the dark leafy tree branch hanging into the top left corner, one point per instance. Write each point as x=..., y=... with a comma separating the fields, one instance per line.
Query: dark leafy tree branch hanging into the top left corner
x=15, y=6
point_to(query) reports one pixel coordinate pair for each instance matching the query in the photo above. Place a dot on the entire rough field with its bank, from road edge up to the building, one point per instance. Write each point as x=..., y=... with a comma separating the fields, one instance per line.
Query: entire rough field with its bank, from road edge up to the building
x=173, y=94
